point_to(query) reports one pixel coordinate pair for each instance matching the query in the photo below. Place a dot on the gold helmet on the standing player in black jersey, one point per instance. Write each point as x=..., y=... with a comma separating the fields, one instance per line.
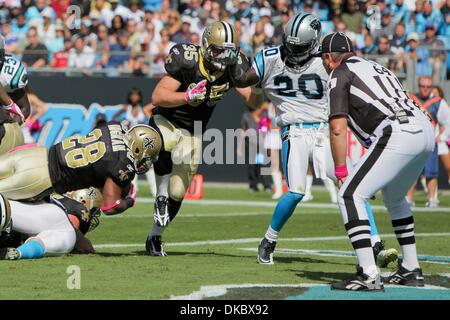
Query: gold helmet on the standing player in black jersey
x=220, y=45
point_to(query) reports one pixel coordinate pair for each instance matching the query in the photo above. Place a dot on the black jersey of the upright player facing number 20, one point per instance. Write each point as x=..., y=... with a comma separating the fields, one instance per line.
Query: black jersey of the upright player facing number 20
x=185, y=64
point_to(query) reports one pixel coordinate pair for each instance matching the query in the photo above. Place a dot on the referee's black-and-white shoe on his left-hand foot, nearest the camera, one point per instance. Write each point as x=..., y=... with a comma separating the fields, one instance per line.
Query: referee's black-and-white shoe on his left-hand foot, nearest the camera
x=360, y=282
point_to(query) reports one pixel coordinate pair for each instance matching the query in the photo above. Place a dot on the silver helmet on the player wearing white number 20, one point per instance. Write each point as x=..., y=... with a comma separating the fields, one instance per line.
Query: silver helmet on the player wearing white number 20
x=301, y=38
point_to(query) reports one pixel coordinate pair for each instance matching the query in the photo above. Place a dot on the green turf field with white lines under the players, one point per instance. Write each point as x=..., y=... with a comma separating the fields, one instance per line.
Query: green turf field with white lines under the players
x=211, y=250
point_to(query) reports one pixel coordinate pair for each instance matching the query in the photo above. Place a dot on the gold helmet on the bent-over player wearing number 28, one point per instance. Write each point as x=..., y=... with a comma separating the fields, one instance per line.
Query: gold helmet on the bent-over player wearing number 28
x=145, y=144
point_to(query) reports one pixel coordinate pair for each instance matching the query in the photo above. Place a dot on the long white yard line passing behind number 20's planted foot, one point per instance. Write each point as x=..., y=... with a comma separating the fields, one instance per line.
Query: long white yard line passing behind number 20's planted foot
x=253, y=240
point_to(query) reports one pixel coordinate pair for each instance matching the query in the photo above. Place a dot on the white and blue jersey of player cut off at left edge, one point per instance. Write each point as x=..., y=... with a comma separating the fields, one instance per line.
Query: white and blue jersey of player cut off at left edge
x=13, y=75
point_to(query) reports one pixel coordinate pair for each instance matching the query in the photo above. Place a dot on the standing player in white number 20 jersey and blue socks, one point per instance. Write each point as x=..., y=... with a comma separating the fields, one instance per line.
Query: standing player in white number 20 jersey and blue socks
x=293, y=78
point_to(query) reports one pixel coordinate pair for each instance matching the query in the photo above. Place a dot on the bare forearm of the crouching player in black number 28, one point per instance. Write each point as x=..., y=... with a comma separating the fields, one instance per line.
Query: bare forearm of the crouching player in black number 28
x=113, y=200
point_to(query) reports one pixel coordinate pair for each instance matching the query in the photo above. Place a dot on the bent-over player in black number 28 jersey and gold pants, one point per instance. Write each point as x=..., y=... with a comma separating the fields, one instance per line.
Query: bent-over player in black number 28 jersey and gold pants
x=107, y=158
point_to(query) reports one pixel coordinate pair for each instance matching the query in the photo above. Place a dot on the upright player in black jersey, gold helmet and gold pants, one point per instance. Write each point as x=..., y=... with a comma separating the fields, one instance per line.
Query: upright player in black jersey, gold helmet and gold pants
x=197, y=78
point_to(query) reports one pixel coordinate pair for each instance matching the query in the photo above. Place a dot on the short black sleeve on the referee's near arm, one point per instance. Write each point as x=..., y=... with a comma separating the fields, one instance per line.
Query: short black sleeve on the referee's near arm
x=338, y=92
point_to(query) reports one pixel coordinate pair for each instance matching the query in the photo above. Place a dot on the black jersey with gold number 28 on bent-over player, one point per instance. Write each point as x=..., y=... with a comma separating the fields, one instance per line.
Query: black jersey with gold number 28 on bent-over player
x=87, y=161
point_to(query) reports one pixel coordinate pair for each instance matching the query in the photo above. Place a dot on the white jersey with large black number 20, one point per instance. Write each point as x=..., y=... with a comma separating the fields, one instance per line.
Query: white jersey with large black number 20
x=298, y=96
